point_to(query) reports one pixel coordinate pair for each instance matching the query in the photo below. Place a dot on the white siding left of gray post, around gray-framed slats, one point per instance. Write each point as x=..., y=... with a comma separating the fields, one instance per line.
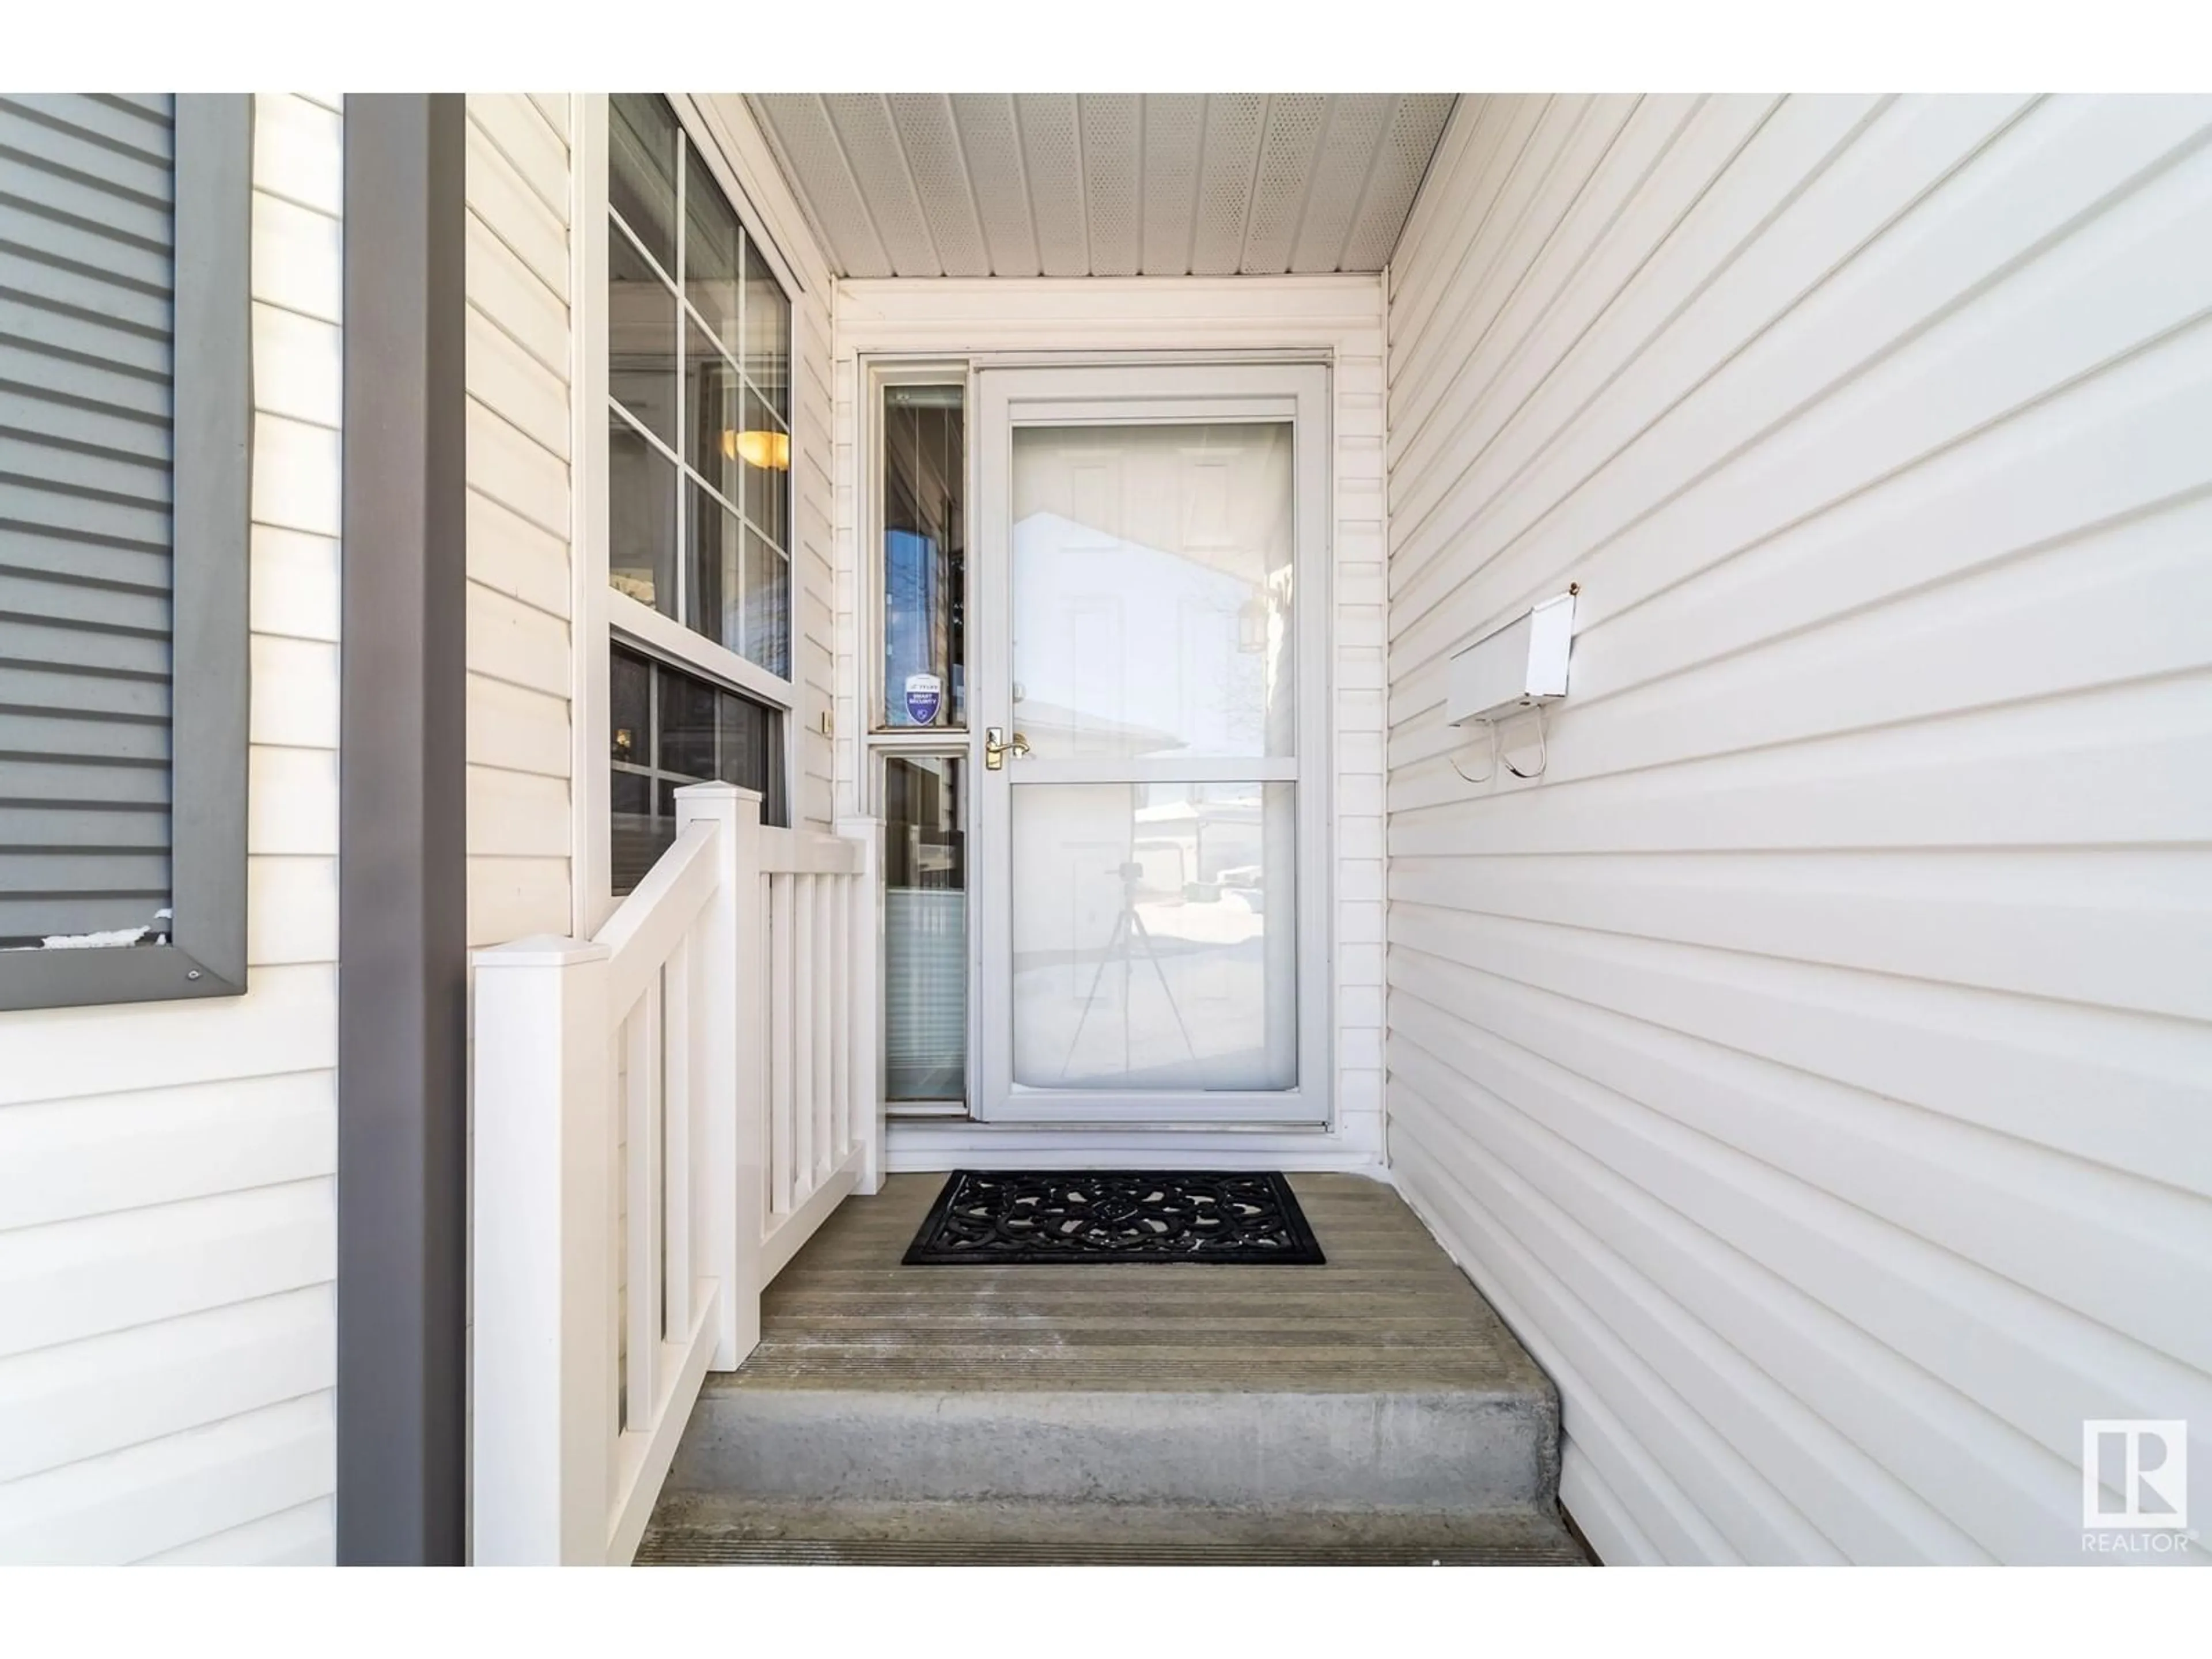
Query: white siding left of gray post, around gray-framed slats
x=167, y=1171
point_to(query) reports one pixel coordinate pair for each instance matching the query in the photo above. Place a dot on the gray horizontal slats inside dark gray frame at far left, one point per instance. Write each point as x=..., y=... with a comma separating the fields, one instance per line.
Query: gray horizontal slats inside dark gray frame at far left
x=87, y=258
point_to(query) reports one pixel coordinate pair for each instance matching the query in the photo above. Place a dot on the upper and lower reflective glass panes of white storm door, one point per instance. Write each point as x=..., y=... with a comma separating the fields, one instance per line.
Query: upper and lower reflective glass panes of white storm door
x=1154, y=921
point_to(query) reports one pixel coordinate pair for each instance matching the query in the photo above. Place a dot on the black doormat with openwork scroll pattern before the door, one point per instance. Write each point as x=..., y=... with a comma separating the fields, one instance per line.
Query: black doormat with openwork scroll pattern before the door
x=1021, y=1218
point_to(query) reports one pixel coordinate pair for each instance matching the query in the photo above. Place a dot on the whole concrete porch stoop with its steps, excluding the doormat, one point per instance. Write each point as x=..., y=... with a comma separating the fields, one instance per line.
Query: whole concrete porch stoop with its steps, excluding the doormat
x=1375, y=1404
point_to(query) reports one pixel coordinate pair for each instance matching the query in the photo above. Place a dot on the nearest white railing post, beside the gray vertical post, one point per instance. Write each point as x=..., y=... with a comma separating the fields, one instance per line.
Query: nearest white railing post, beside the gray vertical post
x=543, y=1249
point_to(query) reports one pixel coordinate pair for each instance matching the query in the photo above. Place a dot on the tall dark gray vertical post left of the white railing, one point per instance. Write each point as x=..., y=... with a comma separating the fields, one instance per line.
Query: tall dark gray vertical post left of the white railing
x=404, y=974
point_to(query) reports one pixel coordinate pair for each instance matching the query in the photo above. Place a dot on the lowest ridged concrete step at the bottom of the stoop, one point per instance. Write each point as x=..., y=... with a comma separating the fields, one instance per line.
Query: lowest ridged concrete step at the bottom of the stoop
x=724, y=1532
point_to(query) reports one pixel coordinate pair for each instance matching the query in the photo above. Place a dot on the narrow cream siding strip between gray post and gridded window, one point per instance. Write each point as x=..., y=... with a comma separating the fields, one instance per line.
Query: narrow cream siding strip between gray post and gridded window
x=521, y=589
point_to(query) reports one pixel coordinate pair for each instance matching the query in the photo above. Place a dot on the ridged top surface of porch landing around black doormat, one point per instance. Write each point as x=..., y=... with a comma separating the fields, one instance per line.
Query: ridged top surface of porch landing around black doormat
x=1388, y=1311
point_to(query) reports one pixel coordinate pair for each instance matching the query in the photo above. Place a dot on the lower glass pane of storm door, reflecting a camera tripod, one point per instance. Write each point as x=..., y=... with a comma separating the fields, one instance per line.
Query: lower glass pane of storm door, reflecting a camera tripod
x=1156, y=937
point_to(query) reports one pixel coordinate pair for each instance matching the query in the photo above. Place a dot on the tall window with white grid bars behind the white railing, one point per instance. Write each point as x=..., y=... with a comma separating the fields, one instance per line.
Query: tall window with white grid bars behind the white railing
x=700, y=455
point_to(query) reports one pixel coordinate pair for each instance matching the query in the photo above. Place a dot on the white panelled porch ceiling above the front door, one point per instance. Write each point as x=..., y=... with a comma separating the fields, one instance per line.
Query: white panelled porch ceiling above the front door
x=1118, y=185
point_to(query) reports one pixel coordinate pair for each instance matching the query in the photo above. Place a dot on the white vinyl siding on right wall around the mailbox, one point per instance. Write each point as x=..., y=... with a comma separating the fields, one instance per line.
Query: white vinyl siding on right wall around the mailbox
x=1813, y=1063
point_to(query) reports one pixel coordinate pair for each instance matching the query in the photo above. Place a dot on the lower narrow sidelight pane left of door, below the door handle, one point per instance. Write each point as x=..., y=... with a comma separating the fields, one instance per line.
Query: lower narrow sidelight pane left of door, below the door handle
x=926, y=935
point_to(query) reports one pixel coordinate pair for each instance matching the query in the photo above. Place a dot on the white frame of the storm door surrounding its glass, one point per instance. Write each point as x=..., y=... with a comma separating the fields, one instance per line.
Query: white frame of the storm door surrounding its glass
x=1297, y=393
